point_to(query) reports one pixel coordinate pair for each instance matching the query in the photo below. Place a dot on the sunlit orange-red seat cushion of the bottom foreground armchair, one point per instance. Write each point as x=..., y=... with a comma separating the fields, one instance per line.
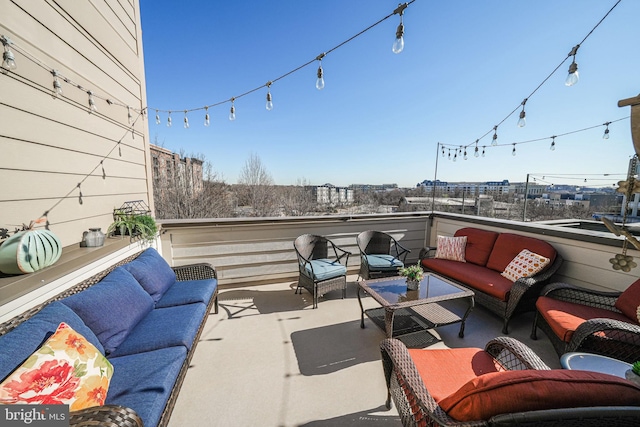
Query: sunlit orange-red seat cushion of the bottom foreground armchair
x=443, y=371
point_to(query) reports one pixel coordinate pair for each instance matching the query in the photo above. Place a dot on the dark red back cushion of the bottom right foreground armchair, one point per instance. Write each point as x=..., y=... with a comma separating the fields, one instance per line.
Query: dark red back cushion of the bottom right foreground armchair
x=530, y=390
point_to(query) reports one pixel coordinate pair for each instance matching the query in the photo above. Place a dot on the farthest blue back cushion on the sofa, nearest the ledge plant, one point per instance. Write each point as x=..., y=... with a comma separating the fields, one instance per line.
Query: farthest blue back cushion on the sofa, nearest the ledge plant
x=153, y=273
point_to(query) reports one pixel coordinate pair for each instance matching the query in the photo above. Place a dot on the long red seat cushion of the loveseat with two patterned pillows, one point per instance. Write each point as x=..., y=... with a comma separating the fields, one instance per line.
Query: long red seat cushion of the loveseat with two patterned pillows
x=475, y=276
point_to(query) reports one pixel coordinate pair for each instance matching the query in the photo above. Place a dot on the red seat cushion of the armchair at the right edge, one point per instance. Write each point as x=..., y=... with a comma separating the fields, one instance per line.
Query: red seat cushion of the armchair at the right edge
x=565, y=317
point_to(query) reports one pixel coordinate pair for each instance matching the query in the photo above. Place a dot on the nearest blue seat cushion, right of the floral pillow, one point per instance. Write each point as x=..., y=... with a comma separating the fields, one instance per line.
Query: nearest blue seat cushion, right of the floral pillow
x=143, y=381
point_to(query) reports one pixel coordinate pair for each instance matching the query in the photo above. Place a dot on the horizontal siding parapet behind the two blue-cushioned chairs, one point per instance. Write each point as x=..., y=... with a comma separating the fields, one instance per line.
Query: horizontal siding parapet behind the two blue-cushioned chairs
x=261, y=250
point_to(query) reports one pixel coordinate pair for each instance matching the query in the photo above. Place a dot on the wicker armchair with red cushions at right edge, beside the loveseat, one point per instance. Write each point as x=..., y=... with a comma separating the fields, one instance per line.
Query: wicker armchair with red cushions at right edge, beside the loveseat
x=606, y=330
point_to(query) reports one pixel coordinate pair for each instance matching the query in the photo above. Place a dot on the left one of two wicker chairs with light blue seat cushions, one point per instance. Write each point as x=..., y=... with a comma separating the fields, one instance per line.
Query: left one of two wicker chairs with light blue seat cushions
x=322, y=266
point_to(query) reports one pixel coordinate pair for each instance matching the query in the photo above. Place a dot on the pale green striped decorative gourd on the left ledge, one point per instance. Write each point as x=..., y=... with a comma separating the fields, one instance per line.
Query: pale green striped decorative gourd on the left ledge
x=28, y=251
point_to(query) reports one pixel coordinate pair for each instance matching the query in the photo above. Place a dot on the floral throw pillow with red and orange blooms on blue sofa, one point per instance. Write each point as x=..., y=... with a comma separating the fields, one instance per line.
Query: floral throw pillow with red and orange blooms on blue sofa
x=67, y=369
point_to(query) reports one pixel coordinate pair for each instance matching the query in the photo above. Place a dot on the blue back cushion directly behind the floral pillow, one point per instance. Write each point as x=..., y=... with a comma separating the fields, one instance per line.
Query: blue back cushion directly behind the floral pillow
x=17, y=345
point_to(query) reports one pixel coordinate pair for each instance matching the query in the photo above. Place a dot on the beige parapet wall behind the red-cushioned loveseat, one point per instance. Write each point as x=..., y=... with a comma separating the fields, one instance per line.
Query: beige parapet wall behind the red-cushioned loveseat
x=586, y=253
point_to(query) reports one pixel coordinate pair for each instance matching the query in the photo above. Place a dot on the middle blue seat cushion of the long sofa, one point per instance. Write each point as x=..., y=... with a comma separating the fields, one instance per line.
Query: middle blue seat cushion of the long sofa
x=164, y=327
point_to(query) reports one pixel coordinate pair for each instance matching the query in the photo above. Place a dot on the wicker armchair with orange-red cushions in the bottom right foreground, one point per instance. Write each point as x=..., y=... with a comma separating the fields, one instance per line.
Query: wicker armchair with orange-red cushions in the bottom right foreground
x=416, y=405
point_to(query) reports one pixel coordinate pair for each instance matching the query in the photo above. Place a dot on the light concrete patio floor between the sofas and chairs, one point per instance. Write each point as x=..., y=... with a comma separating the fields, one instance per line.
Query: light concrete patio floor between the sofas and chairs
x=268, y=359
